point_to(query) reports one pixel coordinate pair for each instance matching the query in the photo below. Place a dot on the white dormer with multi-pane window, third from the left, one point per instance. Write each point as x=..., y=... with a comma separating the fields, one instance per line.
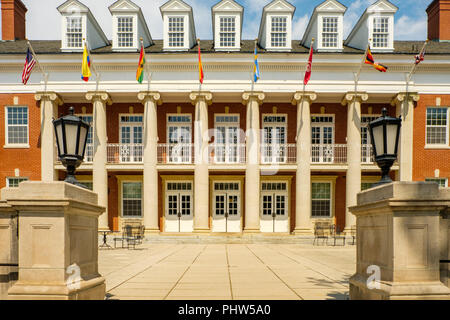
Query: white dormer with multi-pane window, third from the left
x=179, y=28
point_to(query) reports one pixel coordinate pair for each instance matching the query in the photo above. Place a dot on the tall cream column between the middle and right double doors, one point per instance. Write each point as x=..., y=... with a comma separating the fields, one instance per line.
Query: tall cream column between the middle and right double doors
x=252, y=172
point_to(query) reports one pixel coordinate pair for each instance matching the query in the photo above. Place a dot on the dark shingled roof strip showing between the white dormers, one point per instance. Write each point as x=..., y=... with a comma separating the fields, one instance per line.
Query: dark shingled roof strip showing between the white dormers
x=247, y=46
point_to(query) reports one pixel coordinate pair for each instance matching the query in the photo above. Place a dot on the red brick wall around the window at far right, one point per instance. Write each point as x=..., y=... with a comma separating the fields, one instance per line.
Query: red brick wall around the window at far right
x=427, y=160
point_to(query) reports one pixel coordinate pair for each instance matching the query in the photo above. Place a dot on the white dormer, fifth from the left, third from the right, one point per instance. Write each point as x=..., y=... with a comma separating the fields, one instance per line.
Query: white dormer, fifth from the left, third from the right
x=275, y=31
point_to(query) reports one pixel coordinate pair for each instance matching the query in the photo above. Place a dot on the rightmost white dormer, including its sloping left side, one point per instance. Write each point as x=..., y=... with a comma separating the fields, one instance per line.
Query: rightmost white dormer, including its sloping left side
x=376, y=23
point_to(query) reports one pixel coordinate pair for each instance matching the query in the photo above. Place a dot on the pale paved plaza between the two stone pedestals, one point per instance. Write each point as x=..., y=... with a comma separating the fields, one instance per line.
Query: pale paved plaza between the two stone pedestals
x=164, y=271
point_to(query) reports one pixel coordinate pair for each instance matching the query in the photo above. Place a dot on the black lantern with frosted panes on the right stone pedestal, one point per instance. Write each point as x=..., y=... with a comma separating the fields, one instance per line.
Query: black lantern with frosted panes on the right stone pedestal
x=385, y=133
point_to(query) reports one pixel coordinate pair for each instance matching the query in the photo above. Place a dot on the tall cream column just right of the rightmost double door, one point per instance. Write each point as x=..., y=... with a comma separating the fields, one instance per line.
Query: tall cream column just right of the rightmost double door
x=303, y=222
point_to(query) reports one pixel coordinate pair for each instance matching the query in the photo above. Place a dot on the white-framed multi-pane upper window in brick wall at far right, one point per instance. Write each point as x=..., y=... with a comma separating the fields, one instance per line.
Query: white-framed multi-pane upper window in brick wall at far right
x=437, y=126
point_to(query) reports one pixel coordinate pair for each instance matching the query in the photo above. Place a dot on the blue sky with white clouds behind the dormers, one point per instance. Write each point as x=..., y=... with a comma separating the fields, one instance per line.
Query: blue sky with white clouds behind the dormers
x=43, y=20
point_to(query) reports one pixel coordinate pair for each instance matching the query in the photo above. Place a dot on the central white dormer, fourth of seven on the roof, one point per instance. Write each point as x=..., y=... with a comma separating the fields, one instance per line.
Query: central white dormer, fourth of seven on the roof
x=227, y=25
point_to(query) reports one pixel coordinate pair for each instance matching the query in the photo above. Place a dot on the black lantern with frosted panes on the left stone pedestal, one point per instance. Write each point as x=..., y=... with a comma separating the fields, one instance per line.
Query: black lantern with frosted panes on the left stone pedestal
x=71, y=137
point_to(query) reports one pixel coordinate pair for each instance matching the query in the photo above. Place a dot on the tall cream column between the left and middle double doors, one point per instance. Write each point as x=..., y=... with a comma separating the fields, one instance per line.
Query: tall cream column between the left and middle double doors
x=201, y=100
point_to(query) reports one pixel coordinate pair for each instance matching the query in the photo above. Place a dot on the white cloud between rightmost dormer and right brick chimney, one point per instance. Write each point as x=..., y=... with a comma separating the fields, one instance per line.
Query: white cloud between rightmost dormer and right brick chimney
x=407, y=28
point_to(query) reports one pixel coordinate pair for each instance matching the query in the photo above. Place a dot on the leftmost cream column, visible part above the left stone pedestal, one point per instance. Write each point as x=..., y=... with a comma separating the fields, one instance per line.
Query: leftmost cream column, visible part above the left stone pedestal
x=49, y=111
